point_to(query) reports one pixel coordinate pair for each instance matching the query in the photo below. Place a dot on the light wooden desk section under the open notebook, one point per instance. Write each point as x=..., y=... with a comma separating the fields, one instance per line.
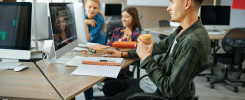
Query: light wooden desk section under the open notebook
x=70, y=85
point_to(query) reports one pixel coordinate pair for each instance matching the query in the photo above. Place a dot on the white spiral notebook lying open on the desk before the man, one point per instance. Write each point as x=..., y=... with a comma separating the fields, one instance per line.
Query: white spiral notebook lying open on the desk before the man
x=99, y=70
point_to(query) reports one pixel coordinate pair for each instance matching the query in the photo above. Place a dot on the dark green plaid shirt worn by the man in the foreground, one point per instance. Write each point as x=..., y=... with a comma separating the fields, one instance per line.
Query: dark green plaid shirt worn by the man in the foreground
x=175, y=70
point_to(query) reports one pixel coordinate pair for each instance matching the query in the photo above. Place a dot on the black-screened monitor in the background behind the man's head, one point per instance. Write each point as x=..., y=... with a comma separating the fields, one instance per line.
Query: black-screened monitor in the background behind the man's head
x=215, y=17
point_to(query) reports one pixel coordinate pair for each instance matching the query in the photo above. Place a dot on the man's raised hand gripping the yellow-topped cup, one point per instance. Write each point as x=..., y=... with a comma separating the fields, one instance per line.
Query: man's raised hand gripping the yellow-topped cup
x=144, y=50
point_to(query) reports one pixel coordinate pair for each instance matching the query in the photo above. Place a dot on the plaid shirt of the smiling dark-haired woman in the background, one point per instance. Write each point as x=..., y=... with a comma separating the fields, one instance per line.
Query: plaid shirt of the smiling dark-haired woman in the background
x=117, y=34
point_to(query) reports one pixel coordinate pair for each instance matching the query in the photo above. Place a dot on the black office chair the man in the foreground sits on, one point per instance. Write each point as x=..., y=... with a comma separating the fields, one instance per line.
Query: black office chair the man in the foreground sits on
x=186, y=94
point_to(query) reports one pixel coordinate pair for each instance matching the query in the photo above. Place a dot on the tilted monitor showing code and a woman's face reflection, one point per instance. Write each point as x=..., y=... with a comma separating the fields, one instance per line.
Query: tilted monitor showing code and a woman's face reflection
x=63, y=28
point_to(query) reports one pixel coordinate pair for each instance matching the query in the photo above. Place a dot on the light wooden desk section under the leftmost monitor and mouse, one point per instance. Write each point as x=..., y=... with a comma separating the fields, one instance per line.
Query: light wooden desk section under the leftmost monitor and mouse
x=26, y=84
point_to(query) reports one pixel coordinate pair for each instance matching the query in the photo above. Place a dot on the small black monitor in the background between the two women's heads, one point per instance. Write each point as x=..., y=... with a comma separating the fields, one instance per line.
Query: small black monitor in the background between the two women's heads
x=112, y=9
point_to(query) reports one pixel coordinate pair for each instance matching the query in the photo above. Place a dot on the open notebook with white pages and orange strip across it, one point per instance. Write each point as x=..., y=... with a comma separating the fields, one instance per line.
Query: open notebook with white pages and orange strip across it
x=101, y=68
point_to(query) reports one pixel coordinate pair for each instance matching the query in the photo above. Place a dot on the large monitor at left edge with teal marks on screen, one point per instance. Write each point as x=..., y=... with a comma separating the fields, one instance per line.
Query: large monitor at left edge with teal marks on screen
x=15, y=30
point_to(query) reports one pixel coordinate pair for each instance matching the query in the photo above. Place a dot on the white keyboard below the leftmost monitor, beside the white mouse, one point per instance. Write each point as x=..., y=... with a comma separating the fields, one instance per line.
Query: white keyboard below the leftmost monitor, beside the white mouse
x=8, y=65
